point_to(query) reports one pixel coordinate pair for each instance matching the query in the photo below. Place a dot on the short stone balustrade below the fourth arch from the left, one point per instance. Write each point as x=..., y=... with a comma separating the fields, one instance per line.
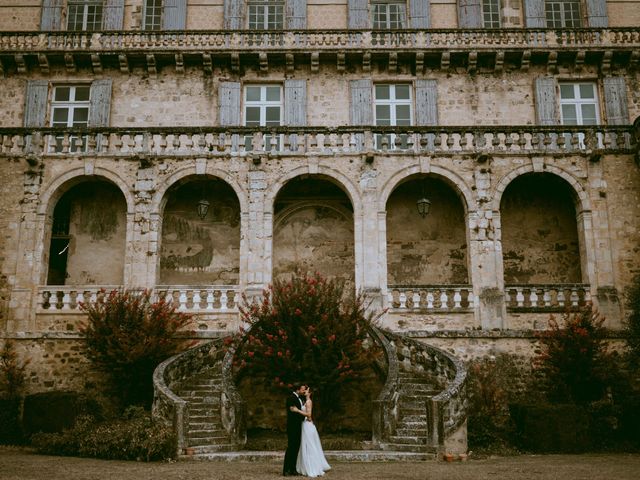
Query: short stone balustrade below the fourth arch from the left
x=445, y=298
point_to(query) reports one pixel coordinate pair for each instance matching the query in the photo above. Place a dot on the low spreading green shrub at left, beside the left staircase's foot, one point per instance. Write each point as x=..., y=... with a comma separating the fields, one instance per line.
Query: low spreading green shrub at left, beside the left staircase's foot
x=136, y=436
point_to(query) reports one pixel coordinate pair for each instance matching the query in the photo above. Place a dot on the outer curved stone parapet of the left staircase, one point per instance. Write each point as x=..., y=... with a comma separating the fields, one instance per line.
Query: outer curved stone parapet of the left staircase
x=169, y=407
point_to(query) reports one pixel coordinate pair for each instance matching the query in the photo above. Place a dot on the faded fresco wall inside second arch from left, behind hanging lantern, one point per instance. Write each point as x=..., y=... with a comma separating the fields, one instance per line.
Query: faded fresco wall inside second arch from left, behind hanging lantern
x=197, y=251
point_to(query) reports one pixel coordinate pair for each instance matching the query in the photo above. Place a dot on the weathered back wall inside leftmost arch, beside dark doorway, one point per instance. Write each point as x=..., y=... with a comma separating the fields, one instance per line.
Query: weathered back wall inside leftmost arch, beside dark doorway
x=97, y=235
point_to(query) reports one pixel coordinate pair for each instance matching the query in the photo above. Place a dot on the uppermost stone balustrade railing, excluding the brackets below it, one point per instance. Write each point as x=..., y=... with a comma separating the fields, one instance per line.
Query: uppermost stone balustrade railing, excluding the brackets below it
x=312, y=40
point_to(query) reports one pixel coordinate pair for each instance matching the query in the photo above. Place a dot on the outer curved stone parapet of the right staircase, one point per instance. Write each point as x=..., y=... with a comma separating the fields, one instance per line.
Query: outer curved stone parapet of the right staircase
x=447, y=411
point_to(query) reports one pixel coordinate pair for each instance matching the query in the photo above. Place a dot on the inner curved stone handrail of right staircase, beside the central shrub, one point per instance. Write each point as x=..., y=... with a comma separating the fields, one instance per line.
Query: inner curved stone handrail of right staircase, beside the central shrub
x=385, y=406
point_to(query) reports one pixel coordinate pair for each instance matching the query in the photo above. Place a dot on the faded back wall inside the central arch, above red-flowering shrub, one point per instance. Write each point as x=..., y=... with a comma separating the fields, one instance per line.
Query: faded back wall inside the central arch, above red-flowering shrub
x=313, y=230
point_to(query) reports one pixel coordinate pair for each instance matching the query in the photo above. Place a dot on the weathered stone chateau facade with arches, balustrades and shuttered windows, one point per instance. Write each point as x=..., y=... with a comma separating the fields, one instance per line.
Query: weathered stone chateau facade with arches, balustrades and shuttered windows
x=202, y=149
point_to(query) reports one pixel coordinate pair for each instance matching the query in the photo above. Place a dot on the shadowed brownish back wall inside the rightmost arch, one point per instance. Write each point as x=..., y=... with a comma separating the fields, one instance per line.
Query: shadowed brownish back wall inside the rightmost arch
x=539, y=231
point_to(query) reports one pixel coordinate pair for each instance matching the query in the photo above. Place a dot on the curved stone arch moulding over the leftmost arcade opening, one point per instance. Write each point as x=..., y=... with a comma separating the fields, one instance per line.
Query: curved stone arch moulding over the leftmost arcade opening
x=75, y=176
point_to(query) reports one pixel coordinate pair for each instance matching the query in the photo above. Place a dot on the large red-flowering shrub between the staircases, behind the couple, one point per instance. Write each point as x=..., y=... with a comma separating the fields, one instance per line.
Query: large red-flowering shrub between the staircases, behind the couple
x=306, y=329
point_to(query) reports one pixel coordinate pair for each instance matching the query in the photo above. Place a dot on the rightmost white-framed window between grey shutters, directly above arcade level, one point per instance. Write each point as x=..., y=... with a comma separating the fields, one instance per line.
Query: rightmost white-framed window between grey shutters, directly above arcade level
x=579, y=104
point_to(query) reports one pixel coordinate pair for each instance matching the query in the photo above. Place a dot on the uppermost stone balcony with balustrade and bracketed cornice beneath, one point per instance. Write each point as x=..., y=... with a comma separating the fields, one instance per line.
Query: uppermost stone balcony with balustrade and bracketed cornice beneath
x=473, y=50
